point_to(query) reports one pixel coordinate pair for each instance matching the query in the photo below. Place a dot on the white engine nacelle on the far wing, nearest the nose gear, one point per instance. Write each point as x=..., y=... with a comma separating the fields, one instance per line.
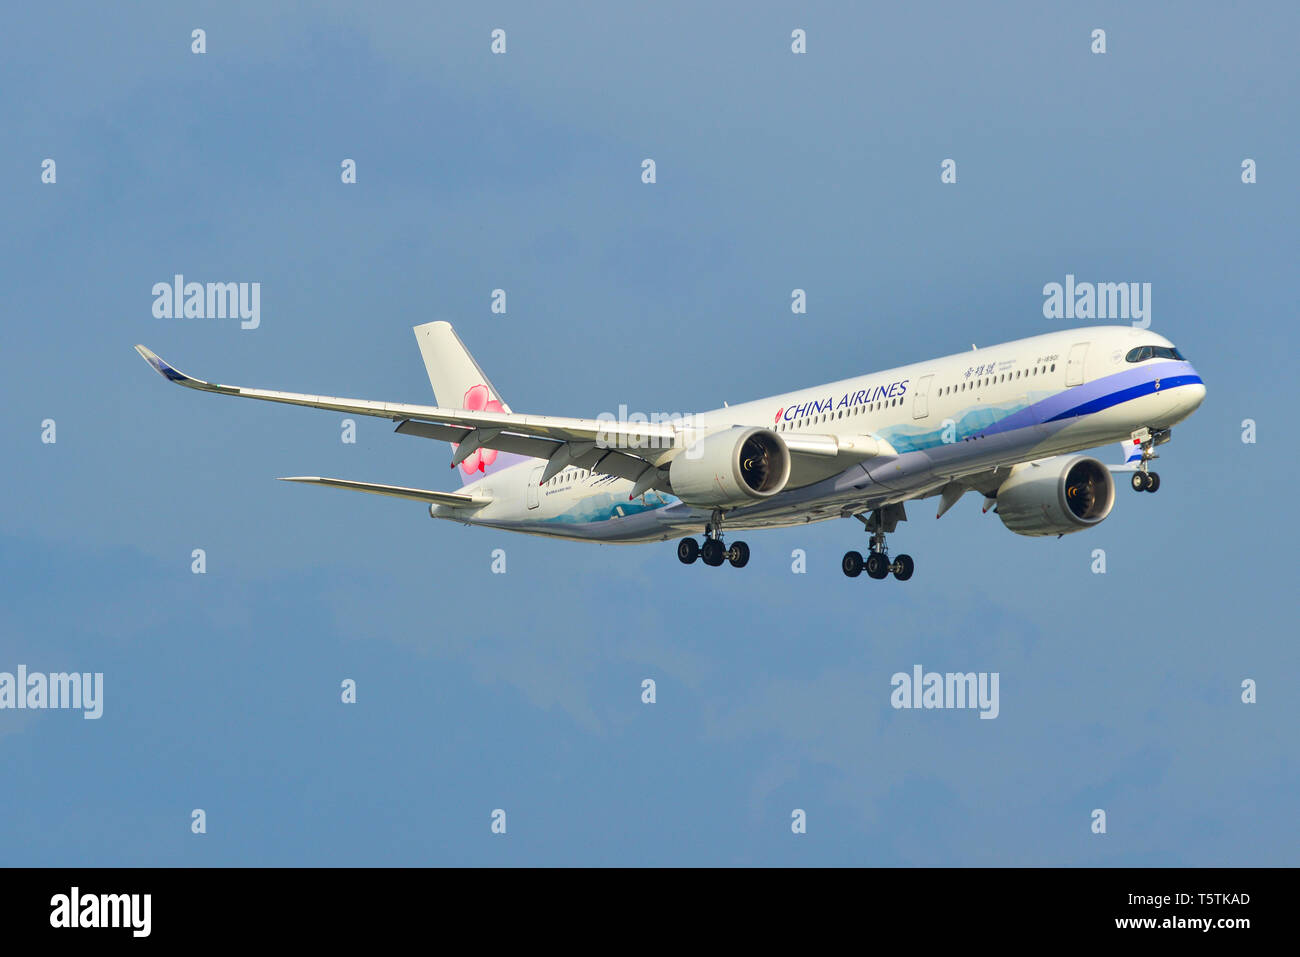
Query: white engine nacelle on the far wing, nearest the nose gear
x=1068, y=493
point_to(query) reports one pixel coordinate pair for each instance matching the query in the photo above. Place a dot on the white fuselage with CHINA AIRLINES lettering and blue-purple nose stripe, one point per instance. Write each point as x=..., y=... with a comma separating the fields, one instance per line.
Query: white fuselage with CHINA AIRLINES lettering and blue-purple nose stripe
x=943, y=419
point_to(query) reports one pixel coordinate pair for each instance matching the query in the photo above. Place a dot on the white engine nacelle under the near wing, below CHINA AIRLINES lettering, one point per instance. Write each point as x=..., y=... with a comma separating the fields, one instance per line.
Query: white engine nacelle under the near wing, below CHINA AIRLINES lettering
x=731, y=469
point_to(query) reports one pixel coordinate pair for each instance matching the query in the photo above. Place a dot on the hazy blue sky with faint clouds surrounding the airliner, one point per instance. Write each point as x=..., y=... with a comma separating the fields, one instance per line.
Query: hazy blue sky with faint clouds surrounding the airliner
x=522, y=691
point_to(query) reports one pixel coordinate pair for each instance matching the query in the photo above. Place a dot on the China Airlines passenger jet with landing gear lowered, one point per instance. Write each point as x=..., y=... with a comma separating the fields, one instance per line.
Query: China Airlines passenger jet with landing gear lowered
x=1007, y=422
